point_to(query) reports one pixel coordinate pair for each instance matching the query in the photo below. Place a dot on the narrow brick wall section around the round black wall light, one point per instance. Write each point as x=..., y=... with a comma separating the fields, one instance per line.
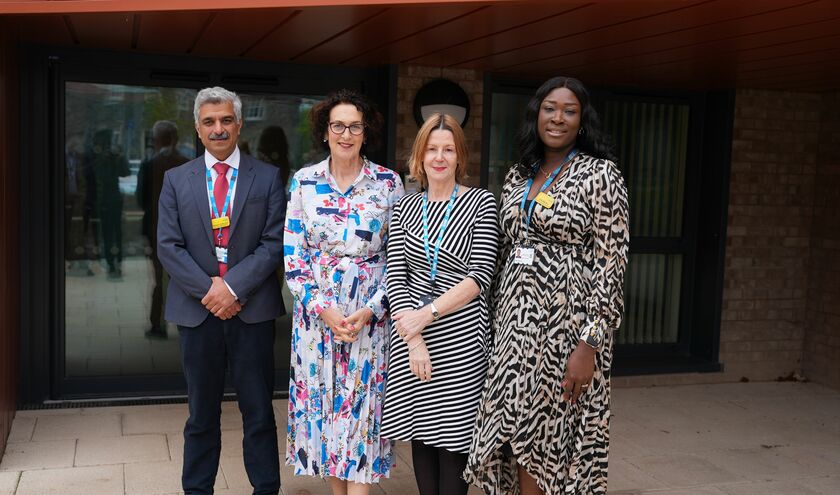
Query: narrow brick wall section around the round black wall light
x=411, y=78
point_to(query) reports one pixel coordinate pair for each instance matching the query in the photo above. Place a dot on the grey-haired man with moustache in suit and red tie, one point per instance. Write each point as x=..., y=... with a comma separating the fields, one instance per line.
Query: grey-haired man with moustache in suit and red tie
x=220, y=238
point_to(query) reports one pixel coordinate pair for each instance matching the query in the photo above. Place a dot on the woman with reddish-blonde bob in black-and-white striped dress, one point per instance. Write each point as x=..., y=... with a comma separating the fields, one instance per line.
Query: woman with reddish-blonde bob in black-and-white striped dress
x=441, y=257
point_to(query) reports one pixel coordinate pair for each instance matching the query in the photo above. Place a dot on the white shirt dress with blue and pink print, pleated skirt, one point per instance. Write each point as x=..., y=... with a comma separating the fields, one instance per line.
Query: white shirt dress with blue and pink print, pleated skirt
x=334, y=255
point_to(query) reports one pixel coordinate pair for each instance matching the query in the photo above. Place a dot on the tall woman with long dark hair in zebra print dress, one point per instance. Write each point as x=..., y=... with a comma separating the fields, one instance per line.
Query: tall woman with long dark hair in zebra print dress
x=543, y=421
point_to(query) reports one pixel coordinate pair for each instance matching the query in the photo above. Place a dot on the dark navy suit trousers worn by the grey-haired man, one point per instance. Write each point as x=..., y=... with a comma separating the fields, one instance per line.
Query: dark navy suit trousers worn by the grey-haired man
x=248, y=350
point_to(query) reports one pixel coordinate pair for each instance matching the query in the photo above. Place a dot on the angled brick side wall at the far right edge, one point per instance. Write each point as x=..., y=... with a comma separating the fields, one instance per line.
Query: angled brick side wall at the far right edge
x=822, y=338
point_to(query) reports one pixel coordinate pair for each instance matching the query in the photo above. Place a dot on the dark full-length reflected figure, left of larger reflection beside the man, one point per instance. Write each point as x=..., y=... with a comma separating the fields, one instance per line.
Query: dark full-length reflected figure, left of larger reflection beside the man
x=108, y=166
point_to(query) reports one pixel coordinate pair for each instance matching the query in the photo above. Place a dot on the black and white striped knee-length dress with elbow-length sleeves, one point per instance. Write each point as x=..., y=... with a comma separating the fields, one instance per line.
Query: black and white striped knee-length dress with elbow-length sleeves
x=441, y=412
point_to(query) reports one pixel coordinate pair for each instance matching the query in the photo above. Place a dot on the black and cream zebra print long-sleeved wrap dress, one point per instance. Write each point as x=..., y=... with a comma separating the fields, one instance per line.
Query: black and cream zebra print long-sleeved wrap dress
x=580, y=245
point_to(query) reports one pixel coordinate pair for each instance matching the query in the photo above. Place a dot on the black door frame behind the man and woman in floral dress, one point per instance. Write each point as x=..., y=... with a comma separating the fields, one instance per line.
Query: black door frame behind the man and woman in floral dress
x=44, y=70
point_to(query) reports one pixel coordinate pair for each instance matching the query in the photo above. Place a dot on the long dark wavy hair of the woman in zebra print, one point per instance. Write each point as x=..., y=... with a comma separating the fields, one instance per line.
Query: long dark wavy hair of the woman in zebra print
x=591, y=140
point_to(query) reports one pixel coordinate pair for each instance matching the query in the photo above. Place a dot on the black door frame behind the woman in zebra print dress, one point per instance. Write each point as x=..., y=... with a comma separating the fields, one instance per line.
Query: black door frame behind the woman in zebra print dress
x=704, y=221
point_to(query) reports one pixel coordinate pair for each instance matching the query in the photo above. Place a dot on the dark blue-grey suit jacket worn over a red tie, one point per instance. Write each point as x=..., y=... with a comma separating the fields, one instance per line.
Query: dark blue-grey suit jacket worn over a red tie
x=255, y=246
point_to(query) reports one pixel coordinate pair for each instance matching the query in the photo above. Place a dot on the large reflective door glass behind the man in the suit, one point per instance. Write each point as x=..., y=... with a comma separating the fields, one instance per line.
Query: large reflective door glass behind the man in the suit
x=119, y=142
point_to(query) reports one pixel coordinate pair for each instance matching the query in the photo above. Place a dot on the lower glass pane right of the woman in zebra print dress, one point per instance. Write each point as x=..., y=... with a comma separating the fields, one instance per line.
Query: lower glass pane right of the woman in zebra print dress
x=652, y=299
